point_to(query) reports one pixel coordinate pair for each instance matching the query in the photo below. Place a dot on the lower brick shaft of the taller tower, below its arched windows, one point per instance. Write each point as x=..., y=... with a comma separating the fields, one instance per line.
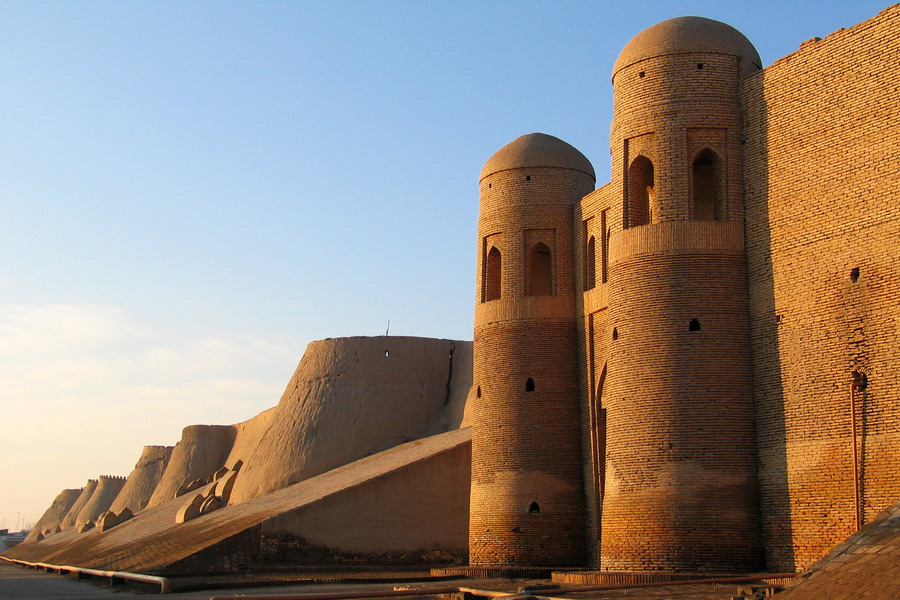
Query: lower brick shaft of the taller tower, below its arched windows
x=680, y=459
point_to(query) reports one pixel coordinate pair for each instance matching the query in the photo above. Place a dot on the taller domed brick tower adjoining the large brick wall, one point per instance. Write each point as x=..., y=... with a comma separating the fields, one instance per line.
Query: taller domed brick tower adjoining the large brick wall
x=680, y=488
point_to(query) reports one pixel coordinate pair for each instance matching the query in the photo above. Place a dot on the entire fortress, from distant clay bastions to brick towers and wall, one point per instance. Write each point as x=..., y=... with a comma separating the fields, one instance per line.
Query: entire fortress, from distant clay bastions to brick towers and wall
x=694, y=367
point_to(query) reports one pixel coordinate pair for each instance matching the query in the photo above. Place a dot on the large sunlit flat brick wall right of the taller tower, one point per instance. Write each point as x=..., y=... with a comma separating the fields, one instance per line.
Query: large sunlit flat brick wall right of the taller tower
x=822, y=149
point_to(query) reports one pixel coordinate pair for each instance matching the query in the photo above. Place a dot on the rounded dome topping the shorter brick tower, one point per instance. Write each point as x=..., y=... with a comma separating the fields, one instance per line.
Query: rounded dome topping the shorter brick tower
x=537, y=150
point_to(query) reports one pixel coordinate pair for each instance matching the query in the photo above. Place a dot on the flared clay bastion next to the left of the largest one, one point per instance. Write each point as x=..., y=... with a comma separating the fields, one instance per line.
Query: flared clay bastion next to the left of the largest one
x=200, y=453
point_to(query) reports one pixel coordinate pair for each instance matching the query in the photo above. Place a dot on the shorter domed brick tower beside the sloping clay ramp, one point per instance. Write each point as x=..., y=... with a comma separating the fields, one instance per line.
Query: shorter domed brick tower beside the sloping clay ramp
x=527, y=492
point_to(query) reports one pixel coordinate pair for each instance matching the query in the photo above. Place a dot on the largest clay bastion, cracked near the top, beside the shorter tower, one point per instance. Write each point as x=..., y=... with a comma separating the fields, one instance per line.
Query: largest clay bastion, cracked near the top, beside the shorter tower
x=349, y=398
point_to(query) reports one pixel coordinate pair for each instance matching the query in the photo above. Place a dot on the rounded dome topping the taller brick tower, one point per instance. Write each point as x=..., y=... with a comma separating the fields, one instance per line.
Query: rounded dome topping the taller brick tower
x=689, y=34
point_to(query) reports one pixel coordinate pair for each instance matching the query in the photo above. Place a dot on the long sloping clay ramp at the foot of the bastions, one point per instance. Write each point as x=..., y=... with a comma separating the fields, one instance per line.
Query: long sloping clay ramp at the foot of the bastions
x=152, y=541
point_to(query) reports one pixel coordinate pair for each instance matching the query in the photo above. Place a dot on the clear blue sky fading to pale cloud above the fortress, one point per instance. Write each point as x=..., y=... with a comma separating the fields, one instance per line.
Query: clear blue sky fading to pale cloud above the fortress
x=190, y=192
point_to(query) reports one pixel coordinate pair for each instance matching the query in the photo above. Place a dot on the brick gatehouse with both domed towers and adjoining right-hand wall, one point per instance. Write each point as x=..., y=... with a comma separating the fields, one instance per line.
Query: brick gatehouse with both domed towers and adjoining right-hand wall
x=719, y=297
